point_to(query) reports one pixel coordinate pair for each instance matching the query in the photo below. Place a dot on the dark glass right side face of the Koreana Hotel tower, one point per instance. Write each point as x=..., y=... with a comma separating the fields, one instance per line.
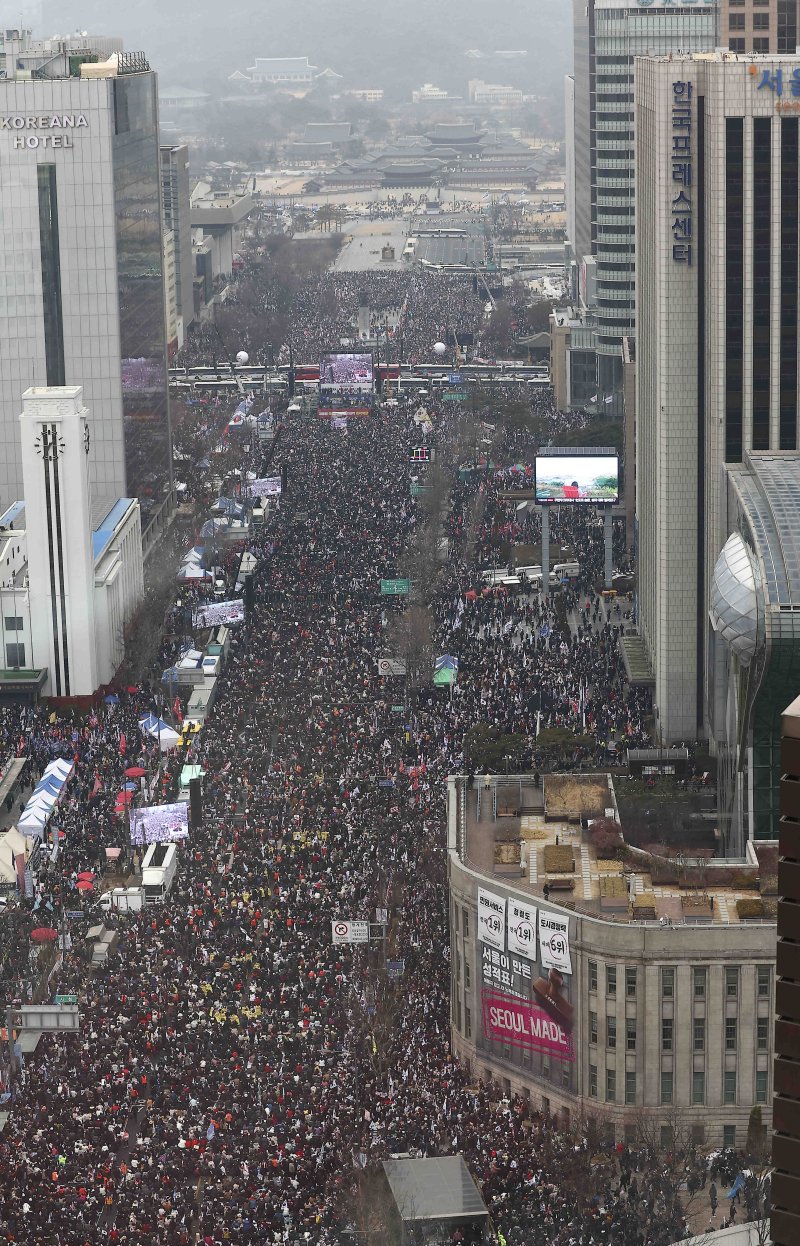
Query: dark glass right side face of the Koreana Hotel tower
x=143, y=337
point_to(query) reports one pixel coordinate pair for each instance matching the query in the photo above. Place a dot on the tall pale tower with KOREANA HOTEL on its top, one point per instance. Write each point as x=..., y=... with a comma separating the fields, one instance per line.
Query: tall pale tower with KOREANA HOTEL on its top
x=82, y=288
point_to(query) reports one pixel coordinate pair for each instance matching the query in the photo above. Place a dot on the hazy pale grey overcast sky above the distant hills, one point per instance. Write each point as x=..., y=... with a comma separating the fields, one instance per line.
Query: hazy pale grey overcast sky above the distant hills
x=373, y=43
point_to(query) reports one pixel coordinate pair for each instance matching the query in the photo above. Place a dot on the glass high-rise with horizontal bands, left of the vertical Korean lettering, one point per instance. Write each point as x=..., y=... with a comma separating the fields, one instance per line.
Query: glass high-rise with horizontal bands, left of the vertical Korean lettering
x=609, y=36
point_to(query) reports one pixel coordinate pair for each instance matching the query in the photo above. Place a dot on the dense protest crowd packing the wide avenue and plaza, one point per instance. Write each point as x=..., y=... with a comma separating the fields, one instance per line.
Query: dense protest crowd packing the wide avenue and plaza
x=236, y=1077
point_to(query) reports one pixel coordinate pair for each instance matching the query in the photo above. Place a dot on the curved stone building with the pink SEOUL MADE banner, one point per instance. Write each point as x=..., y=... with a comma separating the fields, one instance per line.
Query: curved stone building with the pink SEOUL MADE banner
x=662, y=1024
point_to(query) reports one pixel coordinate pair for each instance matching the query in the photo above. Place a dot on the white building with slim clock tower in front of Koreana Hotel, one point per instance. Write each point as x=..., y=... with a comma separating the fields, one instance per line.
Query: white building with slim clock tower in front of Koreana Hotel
x=68, y=589
